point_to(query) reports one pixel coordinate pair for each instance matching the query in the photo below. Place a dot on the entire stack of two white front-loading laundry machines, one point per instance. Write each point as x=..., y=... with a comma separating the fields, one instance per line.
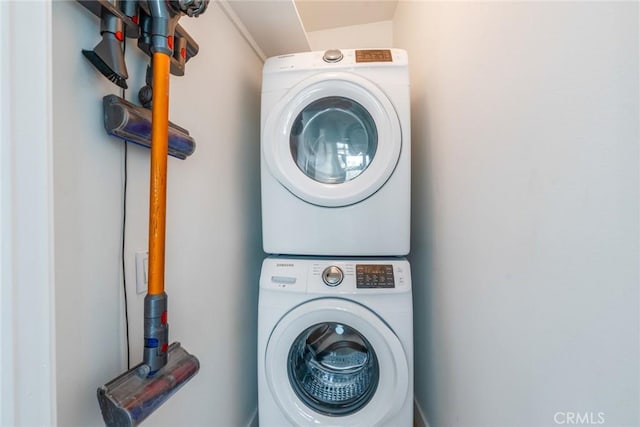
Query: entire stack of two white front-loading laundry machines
x=335, y=322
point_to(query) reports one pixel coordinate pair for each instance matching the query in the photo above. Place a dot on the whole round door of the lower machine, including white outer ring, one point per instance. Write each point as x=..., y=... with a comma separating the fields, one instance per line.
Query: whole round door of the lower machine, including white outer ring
x=333, y=362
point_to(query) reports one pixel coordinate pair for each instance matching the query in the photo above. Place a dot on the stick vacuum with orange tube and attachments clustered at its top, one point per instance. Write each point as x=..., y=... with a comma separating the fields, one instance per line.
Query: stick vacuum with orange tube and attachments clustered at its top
x=131, y=397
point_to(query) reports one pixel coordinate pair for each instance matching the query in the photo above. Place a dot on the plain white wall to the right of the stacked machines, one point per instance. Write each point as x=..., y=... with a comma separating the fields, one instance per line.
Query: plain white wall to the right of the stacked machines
x=525, y=210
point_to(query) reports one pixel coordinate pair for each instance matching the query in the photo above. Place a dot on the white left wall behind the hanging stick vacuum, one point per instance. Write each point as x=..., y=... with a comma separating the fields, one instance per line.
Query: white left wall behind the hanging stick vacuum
x=213, y=231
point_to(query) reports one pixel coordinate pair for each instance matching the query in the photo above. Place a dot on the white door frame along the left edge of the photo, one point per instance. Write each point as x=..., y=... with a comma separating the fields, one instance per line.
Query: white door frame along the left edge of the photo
x=27, y=298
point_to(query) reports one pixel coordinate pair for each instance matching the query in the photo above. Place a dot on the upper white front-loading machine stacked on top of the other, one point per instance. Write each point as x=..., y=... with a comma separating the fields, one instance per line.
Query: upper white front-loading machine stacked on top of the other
x=336, y=153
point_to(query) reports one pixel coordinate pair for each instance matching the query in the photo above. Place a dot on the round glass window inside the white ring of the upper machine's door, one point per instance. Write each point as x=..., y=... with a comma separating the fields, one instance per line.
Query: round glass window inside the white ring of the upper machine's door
x=333, y=140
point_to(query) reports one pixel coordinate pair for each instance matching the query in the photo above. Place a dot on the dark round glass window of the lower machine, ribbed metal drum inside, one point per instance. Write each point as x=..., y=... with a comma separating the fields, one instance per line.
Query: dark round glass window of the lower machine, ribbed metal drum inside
x=333, y=369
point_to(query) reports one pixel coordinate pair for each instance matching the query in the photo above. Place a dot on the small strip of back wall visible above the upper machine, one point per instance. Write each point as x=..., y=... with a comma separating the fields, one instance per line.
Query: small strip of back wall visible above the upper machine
x=375, y=34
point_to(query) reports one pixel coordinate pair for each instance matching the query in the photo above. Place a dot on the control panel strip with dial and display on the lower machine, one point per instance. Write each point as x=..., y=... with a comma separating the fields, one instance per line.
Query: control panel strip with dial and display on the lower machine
x=336, y=275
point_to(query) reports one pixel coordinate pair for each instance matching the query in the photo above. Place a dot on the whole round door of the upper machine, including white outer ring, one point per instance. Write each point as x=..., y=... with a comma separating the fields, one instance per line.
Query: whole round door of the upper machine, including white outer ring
x=333, y=140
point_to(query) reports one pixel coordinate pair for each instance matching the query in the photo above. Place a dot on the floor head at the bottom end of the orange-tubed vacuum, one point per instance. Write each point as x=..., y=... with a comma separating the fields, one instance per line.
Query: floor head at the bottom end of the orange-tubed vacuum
x=130, y=398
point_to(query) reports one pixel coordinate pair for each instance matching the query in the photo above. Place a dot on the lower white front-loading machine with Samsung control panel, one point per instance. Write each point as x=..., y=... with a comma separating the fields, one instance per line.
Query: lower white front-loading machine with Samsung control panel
x=335, y=342
